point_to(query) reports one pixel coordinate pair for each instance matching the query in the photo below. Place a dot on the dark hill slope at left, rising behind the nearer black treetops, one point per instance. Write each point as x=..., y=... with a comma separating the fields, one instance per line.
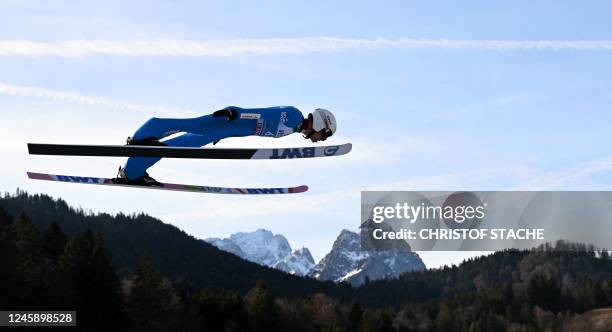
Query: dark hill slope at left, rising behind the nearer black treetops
x=176, y=254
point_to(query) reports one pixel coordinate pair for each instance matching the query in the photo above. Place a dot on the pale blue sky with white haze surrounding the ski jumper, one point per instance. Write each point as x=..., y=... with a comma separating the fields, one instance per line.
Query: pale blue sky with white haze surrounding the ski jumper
x=469, y=111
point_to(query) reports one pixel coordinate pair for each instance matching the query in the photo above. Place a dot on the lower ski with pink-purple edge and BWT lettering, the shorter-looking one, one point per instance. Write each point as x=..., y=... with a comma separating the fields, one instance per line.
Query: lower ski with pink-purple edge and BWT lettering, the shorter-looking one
x=168, y=186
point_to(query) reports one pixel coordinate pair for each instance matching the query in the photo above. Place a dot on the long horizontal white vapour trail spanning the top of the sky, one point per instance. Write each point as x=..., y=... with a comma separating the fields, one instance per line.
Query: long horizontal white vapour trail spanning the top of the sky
x=271, y=46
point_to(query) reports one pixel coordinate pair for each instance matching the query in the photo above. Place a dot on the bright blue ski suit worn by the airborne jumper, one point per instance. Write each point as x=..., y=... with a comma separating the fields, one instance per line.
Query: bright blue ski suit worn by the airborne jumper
x=268, y=122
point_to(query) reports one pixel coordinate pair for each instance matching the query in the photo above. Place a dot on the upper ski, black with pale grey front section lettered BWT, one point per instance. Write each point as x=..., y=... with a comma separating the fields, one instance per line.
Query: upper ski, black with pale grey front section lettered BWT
x=185, y=152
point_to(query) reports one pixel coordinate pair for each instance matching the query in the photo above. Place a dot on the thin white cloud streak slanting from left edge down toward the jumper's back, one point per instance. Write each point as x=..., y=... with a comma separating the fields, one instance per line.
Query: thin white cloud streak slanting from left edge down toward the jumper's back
x=73, y=97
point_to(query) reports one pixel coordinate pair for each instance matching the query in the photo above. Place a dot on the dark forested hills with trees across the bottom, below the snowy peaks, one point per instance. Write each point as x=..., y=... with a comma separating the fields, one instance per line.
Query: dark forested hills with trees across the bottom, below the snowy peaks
x=53, y=257
